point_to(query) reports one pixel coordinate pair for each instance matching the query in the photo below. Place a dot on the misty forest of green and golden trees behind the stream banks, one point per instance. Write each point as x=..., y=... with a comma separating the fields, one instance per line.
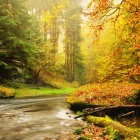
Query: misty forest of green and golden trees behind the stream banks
x=78, y=44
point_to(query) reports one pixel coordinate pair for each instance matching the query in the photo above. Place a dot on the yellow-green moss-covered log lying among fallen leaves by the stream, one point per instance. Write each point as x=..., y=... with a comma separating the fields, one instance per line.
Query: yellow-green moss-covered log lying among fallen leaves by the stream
x=107, y=121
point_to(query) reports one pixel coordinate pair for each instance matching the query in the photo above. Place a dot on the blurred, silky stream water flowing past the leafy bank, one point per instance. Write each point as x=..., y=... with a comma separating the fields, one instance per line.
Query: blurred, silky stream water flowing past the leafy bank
x=40, y=118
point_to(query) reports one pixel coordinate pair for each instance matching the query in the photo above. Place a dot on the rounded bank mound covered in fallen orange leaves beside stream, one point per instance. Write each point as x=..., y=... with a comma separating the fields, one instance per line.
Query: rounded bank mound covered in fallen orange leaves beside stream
x=106, y=94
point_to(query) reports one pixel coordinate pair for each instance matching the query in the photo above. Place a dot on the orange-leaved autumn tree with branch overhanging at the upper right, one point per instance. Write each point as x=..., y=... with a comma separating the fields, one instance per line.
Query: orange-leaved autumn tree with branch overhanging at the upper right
x=125, y=48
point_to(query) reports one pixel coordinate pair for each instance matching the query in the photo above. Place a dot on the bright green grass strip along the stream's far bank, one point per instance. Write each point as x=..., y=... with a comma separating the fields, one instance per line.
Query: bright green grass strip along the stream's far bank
x=41, y=91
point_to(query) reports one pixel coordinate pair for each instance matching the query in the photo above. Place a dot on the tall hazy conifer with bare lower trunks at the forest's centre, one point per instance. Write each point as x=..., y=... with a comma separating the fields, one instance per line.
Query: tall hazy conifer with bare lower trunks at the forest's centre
x=73, y=57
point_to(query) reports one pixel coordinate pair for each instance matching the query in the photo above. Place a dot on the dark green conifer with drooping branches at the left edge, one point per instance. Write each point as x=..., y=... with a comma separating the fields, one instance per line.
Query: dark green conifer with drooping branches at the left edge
x=15, y=44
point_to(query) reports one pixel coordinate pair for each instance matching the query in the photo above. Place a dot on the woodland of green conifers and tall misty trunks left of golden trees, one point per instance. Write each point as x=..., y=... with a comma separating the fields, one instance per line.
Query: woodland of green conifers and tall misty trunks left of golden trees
x=40, y=38
